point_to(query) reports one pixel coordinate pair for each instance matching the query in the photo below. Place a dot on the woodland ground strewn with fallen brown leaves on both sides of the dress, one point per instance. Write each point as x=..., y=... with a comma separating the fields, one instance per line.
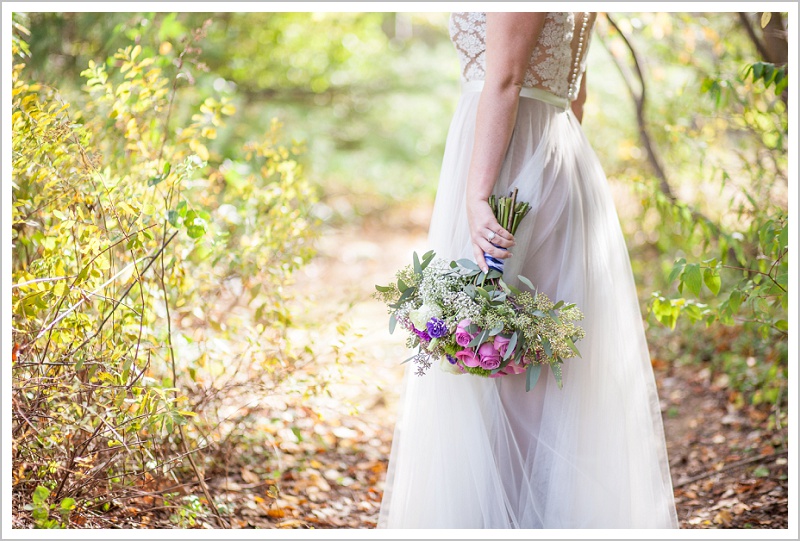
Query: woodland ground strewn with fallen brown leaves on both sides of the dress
x=325, y=458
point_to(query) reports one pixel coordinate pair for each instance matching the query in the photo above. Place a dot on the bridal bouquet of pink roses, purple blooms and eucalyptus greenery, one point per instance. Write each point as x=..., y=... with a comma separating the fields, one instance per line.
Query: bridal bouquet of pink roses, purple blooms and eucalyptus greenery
x=474, y=322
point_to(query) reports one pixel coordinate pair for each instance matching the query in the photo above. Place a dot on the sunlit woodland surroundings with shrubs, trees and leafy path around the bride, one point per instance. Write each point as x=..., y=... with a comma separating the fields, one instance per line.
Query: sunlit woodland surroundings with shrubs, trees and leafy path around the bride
x=203, y=202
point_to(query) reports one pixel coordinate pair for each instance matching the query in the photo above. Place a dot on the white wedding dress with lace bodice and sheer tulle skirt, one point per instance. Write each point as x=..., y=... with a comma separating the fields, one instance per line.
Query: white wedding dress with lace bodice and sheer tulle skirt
x=472, y=452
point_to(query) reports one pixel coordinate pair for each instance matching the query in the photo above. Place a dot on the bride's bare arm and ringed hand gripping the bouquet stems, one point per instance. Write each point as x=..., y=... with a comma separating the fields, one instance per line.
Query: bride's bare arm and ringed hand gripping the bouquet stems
x=510, y=39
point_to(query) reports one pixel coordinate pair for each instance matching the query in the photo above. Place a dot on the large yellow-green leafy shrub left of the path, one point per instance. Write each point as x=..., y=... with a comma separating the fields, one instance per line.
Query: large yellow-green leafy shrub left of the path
x=149, y=275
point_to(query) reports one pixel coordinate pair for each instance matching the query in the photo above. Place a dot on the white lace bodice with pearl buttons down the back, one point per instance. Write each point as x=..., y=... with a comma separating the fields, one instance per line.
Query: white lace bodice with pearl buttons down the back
x=553, y=65
